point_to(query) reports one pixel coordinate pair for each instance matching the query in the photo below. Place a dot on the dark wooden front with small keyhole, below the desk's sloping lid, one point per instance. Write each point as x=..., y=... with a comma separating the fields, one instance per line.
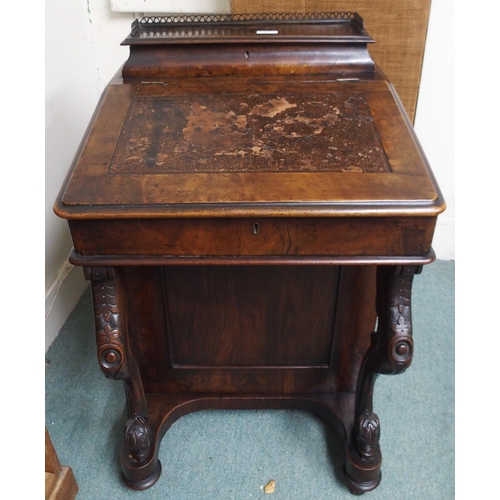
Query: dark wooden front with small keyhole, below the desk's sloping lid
x=340, y=236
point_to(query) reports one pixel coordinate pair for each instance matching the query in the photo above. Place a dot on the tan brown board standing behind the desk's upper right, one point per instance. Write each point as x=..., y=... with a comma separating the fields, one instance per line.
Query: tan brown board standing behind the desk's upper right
x=399, y=28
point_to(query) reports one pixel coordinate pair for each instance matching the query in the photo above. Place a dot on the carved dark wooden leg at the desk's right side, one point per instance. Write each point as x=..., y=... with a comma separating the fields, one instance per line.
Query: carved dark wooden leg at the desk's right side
x=390, y=353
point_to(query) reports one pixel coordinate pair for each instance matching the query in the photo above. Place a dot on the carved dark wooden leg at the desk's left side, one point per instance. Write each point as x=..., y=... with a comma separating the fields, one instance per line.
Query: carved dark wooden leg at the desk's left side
x=140, y=465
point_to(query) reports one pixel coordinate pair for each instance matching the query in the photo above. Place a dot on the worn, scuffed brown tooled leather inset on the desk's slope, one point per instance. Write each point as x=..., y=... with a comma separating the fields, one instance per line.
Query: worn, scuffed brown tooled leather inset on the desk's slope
x=253, y=133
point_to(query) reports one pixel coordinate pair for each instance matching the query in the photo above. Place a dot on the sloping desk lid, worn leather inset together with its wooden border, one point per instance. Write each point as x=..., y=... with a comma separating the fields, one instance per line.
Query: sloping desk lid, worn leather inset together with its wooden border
x=112, y=167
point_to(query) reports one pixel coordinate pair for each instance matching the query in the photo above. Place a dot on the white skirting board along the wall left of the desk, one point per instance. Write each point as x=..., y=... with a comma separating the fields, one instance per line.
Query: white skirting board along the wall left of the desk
x=61, y=299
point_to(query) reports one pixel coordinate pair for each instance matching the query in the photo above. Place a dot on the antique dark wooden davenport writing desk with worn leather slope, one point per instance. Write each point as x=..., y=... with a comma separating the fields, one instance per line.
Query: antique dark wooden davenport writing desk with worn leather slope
x=250, y=204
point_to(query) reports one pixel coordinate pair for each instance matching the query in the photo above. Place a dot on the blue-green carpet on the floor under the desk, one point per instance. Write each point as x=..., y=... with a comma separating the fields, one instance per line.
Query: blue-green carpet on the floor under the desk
x=231, y=455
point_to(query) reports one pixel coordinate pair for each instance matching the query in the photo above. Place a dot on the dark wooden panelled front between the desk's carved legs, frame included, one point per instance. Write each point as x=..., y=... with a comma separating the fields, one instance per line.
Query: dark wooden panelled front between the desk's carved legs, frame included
x=250, y=329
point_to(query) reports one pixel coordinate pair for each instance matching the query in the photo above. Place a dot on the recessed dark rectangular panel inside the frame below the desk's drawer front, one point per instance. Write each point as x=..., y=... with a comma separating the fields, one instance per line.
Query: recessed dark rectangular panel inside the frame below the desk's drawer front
x=250, y=316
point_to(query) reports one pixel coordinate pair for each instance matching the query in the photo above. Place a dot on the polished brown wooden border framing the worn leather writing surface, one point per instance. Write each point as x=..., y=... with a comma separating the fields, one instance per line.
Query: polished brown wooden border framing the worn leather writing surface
x=92, y=188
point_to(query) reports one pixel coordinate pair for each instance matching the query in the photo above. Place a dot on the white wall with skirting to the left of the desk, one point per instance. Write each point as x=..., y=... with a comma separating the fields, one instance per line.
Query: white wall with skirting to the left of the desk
x=82, y=54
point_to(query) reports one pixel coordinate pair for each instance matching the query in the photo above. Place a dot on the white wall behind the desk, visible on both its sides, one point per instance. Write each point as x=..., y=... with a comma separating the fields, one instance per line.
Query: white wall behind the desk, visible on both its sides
x=83, y=52
